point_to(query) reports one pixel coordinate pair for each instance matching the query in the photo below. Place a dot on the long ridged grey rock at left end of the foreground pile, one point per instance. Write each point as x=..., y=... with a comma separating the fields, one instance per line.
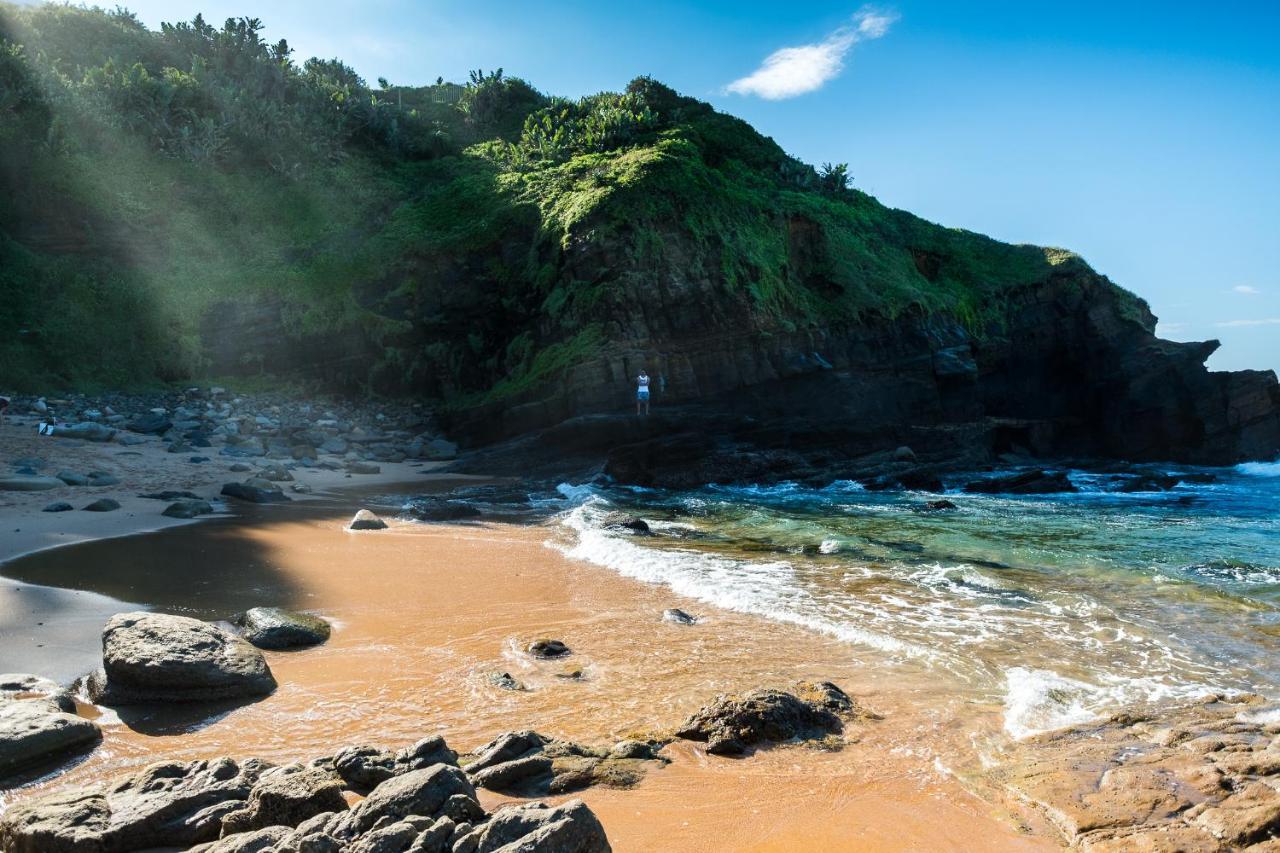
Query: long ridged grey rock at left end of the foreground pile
x=166, y=805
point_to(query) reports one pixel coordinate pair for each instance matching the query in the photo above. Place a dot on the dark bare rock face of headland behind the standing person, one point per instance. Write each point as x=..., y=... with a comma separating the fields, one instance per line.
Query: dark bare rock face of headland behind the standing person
x=1071, y=368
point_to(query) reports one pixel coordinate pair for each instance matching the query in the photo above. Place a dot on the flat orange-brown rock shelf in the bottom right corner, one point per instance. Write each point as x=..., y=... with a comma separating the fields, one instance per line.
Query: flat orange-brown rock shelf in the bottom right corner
x=1204, y=777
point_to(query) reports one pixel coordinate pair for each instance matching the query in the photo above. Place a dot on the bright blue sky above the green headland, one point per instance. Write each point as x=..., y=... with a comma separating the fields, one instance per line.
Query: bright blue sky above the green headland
x=1144, y=136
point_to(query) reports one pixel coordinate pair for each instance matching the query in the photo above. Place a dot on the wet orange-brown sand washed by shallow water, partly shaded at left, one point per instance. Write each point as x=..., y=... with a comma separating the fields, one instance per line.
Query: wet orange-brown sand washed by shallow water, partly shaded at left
x=423, y=617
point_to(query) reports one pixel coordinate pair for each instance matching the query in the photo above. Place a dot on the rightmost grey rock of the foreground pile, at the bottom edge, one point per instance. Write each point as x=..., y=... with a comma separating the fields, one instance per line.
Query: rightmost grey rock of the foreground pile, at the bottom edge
x=572, y=828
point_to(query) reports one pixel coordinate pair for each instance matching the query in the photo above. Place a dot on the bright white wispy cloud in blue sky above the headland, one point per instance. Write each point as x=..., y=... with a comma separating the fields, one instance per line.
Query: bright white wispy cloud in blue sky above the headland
x=807, y=69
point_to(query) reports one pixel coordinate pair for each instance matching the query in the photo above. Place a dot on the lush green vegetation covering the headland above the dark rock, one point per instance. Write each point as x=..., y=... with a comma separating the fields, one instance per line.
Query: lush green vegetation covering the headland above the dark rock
x=158, y=180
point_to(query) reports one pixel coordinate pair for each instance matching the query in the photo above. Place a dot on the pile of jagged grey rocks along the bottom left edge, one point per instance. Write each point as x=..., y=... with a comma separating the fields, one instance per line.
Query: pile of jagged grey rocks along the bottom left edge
x=227, y=806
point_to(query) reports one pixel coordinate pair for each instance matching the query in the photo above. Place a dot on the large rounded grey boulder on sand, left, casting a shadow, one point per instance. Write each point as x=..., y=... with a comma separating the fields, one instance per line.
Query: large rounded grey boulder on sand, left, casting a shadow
x=154, y=658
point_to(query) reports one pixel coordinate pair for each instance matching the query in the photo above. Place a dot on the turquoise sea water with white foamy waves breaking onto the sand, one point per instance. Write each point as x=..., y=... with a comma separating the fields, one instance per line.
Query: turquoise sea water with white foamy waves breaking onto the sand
x=1062, y=608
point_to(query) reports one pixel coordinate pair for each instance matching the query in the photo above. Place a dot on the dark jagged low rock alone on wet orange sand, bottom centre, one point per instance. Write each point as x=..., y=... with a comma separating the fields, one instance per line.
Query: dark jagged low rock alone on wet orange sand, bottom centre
x=733, y=723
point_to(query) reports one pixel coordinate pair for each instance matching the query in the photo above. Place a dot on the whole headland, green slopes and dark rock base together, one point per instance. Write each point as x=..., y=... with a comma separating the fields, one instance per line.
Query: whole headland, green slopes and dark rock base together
x=193, y=203
